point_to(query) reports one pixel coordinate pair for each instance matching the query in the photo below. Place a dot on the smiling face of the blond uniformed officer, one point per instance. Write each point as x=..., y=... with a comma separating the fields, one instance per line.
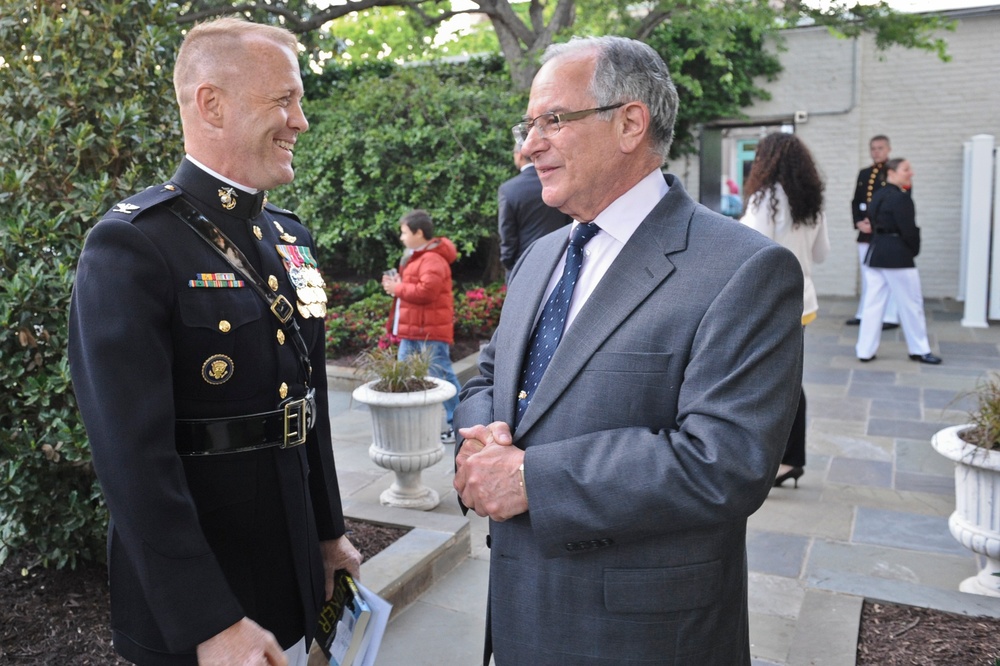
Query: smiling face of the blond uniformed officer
x=262, y=117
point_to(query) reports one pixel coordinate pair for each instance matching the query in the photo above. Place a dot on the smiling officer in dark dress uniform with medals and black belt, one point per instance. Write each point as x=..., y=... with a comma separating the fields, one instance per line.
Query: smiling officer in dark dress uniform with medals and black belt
x=203, y=384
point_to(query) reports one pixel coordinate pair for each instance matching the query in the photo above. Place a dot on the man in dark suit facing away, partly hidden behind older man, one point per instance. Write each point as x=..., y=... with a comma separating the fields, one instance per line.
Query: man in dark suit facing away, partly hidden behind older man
x=522, y=215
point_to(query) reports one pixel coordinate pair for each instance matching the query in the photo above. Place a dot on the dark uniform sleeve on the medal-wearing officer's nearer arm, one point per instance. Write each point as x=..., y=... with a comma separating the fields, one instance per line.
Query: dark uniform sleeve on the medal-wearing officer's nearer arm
x=121, y=358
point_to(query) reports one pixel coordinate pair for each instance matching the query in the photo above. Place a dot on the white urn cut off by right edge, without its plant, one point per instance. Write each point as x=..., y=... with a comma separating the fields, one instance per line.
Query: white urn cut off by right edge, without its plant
x=976, y=520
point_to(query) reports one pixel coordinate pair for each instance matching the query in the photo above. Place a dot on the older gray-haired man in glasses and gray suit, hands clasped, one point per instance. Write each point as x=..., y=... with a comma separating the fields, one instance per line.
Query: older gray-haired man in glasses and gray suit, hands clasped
x=619, y=497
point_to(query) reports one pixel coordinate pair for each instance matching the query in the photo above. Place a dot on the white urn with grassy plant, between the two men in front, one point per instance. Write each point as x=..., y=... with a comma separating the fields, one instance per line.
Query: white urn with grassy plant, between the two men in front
x=406, y=408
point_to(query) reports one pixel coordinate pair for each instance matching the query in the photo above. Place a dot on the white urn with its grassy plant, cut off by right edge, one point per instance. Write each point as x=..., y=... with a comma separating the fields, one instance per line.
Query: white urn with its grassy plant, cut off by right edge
x=975, y=449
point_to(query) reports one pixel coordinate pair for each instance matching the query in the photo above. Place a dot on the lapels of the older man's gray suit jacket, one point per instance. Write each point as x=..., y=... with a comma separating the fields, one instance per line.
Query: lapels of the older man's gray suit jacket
x=641, y=267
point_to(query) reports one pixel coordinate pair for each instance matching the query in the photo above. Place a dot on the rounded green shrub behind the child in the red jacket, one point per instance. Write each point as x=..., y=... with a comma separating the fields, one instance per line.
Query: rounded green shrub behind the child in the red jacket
x=386, y=140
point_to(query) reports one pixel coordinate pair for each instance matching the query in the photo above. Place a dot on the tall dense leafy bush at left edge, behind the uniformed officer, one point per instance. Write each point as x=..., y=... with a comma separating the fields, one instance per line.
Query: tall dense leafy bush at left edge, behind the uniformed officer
x=86, y=111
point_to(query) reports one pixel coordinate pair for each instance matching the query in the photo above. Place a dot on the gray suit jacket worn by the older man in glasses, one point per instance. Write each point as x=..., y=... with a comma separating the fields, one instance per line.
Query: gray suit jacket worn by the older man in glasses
x=655, y=432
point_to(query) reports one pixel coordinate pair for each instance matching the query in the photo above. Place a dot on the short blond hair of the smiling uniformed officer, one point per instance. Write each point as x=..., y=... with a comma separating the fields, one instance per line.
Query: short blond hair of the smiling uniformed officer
x=216, y=48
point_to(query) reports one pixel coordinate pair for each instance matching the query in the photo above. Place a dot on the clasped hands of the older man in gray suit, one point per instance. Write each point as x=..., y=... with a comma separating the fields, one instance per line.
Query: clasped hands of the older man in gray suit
x=487, y=474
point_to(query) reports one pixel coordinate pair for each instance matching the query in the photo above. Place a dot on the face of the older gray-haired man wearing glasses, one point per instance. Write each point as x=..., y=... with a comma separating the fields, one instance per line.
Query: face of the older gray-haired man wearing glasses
x=579, y=166
